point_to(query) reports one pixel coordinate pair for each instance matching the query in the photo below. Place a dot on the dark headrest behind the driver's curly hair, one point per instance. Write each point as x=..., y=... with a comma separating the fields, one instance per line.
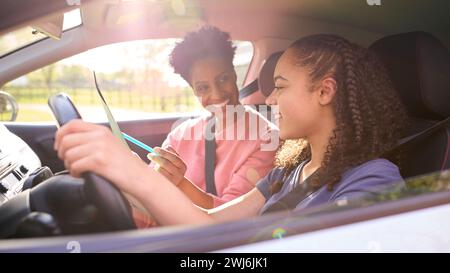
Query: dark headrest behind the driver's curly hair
x=419, y=67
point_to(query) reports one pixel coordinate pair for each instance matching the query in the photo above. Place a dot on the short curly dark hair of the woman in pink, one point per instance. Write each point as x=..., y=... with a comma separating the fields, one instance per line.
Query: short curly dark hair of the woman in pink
x=206, y=42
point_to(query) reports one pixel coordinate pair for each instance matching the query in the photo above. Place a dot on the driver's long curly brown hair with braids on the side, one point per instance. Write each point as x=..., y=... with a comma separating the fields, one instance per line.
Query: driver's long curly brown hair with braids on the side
x=370, y=118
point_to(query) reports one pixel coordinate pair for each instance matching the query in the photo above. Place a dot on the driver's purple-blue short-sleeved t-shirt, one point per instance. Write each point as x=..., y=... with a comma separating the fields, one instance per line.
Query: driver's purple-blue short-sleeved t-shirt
x=370, y=177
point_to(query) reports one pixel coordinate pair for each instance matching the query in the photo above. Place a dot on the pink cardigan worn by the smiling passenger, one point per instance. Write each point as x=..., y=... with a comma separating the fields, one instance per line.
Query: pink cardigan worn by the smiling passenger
x=240, y=162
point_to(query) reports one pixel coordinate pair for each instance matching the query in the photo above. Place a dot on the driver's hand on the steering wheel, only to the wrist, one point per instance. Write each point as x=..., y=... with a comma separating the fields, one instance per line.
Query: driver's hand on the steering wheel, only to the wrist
x=89, y=147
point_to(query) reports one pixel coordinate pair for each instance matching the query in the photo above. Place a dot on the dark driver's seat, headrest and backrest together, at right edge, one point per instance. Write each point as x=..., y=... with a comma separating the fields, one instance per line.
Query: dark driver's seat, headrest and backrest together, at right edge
x=419, y=67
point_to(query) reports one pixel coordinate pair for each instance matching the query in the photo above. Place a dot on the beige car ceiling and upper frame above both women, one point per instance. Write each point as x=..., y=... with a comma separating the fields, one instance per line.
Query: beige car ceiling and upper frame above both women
x=270, y=25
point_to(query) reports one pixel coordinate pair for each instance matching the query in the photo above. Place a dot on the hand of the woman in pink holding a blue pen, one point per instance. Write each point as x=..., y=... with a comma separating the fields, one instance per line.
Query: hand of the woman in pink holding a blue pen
x=170, y=164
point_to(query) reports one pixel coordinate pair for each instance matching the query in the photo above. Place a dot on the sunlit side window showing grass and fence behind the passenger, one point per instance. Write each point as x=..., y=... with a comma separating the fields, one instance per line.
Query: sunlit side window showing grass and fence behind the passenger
x=135, y=78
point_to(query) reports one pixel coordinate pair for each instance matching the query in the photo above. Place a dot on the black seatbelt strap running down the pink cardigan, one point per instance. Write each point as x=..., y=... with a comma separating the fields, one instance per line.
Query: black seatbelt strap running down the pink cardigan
x=210, y=155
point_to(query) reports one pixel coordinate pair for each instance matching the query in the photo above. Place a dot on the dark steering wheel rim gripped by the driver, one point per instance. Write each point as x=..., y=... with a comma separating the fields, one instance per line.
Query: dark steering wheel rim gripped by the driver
x=108, y=199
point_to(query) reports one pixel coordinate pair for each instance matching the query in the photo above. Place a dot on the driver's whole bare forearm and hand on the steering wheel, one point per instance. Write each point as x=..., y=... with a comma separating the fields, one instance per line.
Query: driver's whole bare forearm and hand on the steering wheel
x=88, y=147
